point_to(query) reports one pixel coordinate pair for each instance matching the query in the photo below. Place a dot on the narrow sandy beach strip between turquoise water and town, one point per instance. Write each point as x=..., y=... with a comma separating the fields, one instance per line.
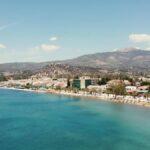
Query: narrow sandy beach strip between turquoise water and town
x=138, y=101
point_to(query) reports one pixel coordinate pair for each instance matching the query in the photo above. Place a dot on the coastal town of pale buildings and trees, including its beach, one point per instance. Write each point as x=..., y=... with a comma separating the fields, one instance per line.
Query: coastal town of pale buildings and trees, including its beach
x=132, y=90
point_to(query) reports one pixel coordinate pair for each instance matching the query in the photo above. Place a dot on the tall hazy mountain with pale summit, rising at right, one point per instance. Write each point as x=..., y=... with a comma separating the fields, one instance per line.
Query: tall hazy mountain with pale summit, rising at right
x=129, y=58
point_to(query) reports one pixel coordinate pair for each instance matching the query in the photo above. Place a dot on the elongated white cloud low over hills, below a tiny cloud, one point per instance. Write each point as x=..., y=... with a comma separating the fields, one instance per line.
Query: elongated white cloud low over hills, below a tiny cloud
x=46, y=47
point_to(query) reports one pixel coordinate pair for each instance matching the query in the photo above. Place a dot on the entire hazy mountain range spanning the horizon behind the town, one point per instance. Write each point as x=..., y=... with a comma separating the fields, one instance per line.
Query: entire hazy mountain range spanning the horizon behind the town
x=132, y=59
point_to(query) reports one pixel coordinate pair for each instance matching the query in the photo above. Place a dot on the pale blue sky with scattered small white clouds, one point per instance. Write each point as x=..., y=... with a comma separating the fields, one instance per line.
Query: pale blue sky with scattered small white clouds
x=46, y=30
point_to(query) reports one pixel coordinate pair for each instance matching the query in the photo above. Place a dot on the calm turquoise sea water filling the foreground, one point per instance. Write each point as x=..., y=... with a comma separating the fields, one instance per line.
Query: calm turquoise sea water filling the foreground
x=31, y=121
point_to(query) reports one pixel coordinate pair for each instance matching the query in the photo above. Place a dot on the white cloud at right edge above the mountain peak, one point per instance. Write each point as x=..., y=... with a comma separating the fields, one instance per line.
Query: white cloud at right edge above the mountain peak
x=139, y=38
